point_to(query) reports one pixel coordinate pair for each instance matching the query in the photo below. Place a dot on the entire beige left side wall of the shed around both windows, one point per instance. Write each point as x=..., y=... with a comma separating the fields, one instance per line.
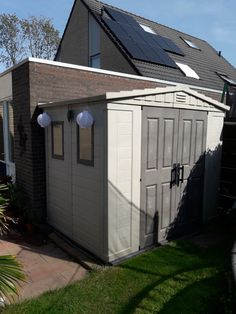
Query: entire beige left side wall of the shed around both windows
x=75, y=192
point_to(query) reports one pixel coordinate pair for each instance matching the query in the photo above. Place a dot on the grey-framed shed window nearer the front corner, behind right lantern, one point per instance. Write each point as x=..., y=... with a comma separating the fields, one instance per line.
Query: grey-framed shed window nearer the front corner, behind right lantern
x=85, y=142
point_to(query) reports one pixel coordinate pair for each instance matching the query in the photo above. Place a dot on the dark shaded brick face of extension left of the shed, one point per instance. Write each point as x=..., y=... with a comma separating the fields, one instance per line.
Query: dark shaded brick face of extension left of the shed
x=29, y=161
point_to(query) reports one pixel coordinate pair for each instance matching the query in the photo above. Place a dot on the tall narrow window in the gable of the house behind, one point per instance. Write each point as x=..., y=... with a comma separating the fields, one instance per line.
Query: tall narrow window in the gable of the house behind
x=94, y=43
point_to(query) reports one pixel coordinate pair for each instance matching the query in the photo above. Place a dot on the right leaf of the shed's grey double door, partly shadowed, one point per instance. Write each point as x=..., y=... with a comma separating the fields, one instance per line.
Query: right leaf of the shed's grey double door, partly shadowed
x=191, y=156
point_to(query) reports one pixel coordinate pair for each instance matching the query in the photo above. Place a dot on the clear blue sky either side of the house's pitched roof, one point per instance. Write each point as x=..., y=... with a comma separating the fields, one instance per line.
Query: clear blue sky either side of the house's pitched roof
x=212, y=20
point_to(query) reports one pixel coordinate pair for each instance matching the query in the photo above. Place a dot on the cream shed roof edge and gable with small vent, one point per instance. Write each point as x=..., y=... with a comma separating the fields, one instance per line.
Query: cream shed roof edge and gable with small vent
x=179, y=95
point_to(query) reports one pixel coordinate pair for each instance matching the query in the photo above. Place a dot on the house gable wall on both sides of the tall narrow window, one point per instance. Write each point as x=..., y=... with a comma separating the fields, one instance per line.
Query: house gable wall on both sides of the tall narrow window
x=75, y=44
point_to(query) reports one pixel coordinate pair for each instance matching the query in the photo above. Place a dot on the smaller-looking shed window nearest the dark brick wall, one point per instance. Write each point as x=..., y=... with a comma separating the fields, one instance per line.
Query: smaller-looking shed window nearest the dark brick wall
x=58, y=140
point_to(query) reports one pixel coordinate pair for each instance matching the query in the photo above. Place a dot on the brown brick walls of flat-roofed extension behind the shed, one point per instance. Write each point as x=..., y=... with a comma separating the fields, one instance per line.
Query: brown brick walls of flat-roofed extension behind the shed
x=35, y=83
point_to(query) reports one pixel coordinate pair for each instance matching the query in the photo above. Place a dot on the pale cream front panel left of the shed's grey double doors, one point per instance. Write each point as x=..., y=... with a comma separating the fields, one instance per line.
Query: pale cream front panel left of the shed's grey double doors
x=124, y=162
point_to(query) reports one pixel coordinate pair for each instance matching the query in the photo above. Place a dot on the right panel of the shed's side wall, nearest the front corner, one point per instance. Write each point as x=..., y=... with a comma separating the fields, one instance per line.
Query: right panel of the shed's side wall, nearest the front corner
x=88, y=188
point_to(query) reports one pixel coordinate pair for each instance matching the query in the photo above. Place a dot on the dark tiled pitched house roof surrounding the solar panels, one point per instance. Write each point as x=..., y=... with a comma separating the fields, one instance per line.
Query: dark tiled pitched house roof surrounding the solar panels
x=205, y=61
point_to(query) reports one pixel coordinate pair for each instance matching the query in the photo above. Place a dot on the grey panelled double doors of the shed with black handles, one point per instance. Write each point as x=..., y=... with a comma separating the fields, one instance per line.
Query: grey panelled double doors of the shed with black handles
x=173, y=146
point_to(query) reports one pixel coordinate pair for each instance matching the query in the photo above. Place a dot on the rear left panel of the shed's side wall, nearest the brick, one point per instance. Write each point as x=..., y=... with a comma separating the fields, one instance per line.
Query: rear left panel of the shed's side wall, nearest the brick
x=59, y=206
